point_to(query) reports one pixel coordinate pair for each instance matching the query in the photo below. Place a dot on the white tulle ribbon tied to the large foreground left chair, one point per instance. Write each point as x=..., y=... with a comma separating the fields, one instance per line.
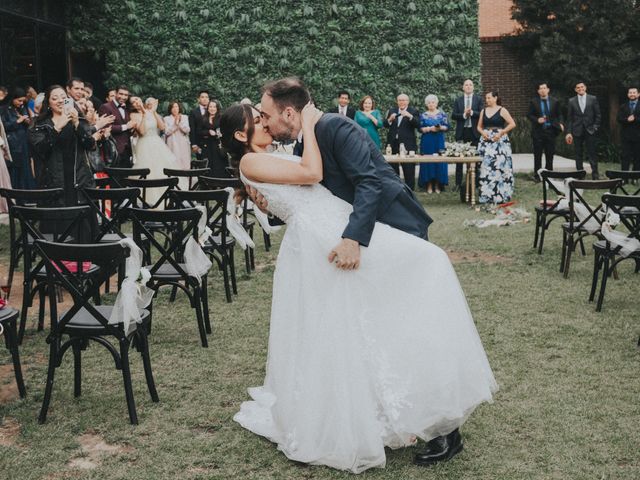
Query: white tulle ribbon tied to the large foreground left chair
x=134, y=295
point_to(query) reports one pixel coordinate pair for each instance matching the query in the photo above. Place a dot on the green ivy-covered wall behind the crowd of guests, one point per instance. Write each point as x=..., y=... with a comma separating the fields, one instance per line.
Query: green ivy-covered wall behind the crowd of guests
x=172, y=48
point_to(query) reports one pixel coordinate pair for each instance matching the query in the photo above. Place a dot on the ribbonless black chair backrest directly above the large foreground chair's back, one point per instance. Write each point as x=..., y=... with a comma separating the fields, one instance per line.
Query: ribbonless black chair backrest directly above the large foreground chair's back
x=110, y=204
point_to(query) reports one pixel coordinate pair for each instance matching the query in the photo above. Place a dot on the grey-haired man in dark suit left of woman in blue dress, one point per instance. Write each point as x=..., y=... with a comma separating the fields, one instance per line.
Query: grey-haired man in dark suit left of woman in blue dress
x=402, y=122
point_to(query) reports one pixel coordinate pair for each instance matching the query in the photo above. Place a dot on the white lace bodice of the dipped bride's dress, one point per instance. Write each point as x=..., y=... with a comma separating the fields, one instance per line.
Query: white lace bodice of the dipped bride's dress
x=298, y=202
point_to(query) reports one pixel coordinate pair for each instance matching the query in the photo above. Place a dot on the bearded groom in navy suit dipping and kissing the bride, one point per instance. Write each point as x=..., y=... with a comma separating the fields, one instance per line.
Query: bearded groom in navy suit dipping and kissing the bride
x=355, y=171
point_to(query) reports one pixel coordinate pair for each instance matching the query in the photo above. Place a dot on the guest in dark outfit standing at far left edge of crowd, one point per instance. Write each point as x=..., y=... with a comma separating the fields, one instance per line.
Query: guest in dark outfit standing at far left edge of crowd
x=16, y=123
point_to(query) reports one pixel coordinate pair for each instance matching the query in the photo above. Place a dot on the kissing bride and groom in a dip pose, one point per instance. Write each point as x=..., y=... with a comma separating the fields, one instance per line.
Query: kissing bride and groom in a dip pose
x=371, y=343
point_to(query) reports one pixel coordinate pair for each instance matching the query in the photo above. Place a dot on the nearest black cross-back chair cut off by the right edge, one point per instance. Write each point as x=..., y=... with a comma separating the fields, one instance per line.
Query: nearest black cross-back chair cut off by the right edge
x=607, y=255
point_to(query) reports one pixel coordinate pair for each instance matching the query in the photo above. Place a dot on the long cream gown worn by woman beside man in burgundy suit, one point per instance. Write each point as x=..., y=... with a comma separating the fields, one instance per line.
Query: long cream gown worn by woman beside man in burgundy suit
x=152, y=153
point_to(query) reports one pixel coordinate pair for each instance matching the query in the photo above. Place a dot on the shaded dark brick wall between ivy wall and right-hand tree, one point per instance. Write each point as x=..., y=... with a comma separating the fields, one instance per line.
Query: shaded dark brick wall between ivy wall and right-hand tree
x=502, y=70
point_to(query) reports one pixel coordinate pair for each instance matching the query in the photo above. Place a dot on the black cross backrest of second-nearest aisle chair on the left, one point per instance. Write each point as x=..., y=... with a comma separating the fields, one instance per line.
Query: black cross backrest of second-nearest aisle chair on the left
x=179, y=223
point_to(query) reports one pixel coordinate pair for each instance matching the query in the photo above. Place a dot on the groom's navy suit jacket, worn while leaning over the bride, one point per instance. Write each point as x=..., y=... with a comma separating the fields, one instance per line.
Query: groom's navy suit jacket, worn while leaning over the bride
x=355, y=171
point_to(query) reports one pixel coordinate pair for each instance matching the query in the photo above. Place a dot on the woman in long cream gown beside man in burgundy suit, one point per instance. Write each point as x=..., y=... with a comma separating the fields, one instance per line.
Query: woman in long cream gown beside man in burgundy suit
x=149, y=150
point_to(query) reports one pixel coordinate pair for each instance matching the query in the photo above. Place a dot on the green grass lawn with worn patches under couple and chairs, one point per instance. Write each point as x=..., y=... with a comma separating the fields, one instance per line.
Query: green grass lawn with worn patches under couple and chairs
x=568, y=405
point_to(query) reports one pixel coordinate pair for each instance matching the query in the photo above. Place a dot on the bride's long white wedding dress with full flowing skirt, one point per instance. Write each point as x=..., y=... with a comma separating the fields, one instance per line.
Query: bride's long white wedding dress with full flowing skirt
x=359, y=360
